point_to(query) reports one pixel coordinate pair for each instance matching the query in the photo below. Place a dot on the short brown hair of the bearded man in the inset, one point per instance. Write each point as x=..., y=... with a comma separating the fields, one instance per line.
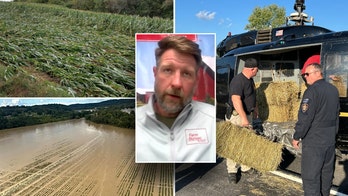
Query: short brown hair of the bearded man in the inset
x=182, y=45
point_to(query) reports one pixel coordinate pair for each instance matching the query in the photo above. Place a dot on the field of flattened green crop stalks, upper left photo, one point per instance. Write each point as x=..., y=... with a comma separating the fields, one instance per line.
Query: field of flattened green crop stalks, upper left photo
x=54, y=51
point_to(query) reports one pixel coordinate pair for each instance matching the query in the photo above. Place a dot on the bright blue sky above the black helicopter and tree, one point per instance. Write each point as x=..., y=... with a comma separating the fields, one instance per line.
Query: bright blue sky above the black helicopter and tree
x=221, y=17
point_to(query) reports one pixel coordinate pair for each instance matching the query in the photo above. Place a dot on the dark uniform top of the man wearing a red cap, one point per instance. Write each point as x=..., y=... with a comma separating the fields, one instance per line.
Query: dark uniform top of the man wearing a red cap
x=318, y=115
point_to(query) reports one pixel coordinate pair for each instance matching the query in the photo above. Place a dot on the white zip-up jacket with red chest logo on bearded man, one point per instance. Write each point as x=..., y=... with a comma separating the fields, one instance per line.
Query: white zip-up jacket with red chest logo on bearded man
x=192, y=137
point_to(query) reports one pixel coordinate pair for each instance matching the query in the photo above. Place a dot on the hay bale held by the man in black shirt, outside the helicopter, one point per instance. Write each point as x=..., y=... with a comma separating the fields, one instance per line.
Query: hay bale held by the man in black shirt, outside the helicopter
x=245, y=147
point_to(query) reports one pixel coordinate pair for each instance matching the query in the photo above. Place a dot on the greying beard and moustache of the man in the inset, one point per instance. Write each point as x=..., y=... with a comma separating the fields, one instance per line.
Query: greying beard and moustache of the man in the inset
x=169, y=106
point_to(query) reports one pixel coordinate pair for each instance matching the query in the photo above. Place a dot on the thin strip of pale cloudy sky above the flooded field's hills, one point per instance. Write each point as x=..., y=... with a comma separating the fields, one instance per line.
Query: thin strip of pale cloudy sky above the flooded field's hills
x=40, y=101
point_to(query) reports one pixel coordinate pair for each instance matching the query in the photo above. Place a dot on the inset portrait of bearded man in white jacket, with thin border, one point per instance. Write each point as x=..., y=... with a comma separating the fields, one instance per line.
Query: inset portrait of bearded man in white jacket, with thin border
x=175, y=98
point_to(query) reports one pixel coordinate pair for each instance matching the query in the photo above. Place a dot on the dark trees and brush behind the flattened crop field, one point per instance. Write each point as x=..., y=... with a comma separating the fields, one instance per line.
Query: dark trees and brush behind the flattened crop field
x=149, y=8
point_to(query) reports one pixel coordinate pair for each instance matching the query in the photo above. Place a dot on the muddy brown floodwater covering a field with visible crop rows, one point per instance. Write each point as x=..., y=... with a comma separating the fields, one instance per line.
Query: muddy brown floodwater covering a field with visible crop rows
x=77, y=158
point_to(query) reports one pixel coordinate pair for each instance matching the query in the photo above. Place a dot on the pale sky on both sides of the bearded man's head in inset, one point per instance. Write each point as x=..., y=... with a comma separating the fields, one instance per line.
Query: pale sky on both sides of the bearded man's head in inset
x=145, y=59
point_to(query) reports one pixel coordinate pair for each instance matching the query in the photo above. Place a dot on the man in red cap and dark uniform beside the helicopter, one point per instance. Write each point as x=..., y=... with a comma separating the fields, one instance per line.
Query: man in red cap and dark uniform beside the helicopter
x=316, y=129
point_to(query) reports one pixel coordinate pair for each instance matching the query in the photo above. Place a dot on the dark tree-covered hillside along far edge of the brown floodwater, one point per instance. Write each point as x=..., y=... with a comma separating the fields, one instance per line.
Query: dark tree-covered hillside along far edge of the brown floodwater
x=112, y=112
